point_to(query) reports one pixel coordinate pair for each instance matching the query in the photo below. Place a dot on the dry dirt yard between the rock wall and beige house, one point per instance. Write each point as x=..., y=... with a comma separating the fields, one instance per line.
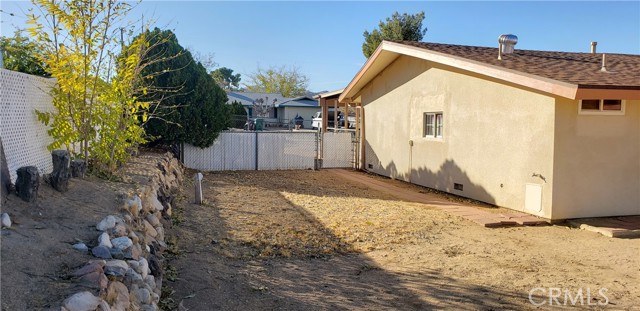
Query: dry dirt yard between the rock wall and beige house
x=306, y=240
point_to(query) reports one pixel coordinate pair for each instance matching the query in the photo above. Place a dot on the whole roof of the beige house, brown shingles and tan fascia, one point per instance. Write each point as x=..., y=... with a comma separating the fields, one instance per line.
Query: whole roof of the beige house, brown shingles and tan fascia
x=566, y=74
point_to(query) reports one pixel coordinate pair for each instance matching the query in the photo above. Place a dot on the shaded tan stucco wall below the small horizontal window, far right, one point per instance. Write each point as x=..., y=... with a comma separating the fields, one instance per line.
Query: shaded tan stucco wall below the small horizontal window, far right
x=597, y=162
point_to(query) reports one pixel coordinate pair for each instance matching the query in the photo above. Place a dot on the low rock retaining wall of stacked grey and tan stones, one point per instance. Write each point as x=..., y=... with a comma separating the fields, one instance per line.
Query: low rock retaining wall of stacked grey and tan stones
x=127, y=272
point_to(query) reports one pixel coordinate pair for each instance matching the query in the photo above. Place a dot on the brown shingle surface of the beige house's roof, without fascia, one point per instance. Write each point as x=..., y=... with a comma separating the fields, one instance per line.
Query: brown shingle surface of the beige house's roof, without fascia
x=582, y=69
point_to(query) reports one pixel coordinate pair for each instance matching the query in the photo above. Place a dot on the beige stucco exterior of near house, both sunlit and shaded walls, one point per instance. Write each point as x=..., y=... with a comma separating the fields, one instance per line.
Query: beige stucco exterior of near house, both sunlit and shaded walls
x=500, y=138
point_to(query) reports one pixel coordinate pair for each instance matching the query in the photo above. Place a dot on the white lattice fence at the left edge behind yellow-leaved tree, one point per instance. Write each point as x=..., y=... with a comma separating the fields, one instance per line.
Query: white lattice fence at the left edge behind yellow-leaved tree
x=24, y=138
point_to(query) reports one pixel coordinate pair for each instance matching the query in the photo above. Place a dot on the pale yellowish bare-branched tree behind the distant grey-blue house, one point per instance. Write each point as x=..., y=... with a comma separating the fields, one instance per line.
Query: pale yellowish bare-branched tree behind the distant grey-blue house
x=289, y=82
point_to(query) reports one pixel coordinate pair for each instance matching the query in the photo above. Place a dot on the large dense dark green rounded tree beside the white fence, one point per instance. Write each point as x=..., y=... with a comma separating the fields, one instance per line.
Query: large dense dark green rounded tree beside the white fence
x=193, y=107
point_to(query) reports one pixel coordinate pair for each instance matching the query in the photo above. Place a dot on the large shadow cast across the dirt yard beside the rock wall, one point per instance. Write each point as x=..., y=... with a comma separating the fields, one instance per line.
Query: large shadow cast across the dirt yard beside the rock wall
x=223, y=268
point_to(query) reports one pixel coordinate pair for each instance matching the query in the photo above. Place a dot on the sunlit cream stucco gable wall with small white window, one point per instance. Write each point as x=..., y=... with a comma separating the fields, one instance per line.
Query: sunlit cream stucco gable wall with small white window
x=495, y=136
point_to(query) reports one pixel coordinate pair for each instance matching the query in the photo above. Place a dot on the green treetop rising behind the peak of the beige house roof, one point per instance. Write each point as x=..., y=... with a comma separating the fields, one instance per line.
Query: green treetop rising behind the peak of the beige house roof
x=406, y=27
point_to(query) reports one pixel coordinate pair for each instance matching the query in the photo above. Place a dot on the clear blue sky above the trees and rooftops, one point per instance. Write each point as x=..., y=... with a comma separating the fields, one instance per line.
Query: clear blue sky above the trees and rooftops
x=323, y=39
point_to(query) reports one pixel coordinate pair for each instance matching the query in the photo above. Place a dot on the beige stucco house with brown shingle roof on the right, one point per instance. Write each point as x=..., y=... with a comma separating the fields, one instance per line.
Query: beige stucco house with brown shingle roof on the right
x=554, y=134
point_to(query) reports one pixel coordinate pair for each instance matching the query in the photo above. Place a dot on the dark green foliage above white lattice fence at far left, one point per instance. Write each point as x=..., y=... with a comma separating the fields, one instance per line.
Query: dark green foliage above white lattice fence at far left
x=21, y=54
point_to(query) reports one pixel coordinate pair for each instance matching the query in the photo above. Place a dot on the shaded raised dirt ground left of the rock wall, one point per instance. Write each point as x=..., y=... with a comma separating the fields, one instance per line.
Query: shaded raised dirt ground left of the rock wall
x=36, y=254
